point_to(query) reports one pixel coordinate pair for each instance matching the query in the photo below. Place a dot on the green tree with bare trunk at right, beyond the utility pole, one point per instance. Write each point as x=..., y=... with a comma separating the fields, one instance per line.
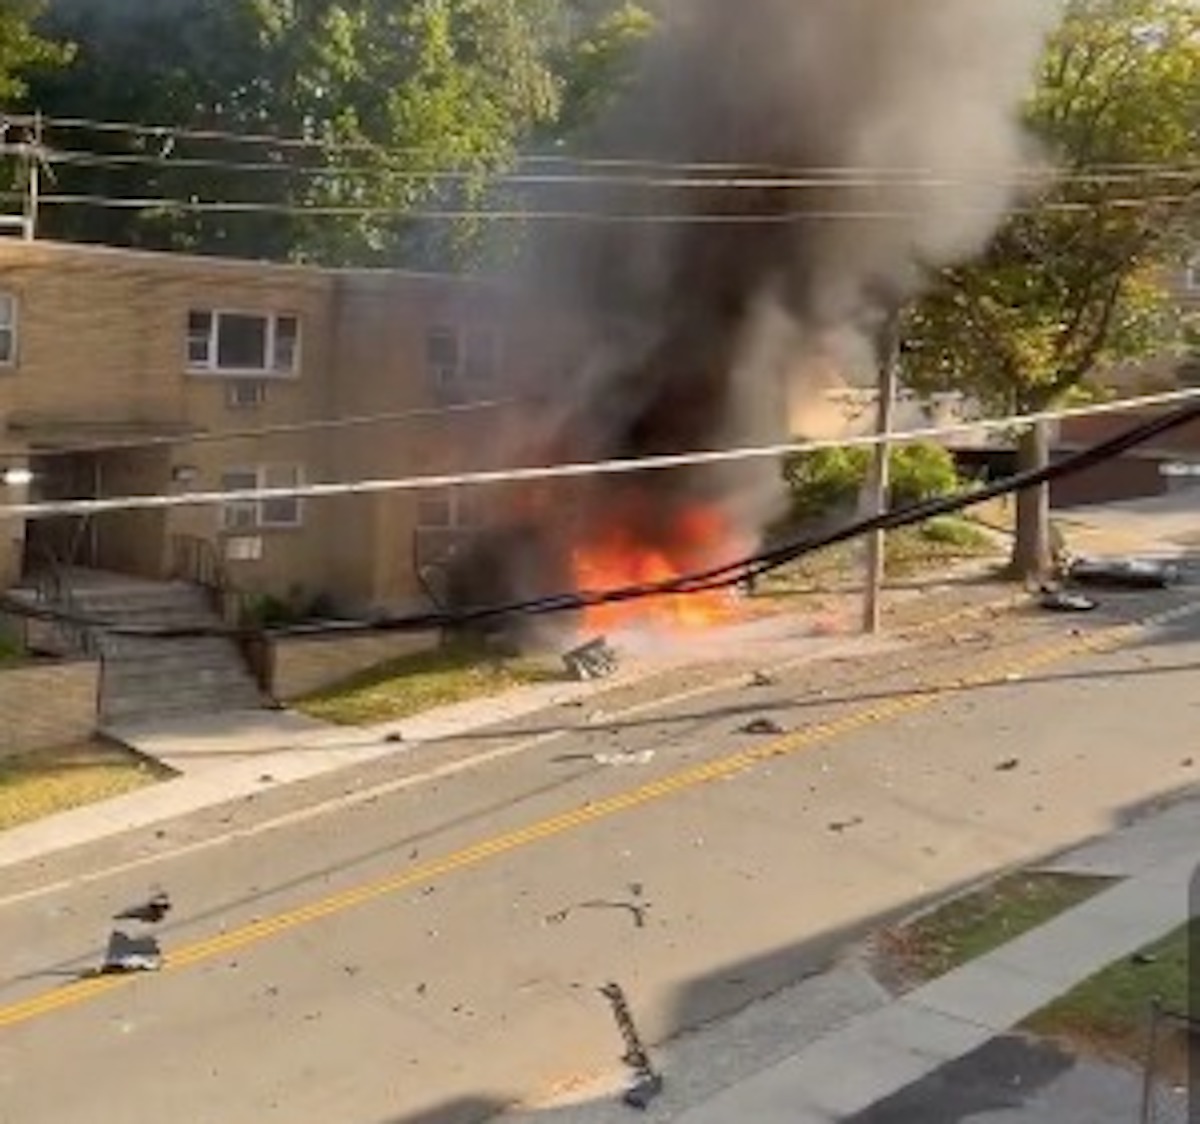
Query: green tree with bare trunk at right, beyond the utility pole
x=1076, y=280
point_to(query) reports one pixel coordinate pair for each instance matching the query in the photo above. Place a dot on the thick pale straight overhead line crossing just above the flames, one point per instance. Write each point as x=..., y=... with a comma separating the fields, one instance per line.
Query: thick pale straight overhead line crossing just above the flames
x=621, y=467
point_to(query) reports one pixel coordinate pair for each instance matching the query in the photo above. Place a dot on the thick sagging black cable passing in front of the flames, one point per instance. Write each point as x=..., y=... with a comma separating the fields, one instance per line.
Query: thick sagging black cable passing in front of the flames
x=718, y=578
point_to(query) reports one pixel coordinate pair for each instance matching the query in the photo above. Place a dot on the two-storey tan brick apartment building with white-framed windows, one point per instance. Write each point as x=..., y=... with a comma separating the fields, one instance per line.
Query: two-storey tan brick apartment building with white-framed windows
x=110, y=357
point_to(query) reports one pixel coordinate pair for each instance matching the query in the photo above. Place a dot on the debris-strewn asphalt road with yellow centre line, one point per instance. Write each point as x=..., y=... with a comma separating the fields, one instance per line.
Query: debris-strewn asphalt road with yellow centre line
x=428, y=946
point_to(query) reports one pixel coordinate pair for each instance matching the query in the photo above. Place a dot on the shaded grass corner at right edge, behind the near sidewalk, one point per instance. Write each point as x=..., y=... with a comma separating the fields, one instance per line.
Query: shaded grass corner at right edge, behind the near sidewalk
x=1108, y=1015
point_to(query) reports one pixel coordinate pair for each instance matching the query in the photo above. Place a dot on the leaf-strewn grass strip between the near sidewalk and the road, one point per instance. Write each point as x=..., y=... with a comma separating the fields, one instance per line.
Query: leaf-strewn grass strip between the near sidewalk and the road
x=979, y=923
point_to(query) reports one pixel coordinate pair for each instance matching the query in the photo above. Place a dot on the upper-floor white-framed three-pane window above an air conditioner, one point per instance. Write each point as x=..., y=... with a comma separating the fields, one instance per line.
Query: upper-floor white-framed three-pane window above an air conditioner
x=243, y=344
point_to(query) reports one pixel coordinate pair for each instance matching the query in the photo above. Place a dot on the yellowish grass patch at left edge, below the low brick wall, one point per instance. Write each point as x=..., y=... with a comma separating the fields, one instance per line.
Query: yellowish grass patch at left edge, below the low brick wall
x=38, y=785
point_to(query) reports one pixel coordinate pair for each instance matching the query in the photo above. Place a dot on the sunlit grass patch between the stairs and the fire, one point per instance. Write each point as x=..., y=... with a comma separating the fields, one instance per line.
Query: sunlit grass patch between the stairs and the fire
x=422, y=682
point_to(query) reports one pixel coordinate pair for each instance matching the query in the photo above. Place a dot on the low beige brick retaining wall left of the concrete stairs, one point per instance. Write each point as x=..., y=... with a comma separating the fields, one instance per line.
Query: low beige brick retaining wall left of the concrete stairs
x=46, y=707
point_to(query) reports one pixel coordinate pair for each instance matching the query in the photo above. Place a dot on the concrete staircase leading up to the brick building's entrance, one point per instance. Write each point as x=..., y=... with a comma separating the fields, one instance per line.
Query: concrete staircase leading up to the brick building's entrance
x=155, y=681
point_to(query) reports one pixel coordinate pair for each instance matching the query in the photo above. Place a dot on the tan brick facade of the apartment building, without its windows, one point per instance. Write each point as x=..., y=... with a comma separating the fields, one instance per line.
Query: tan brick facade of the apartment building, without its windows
x=103, y=356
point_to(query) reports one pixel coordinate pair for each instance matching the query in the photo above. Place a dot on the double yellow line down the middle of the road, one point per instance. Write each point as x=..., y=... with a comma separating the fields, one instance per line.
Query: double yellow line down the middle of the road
x=256, y=933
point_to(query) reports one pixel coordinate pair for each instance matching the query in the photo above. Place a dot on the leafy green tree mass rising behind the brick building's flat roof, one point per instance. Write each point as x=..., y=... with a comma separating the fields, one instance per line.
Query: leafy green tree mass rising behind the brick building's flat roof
x=391, y=94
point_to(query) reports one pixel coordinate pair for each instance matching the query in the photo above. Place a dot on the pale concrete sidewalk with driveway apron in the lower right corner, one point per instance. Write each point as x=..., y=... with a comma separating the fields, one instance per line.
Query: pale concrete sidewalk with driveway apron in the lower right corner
x=885, y=1053
